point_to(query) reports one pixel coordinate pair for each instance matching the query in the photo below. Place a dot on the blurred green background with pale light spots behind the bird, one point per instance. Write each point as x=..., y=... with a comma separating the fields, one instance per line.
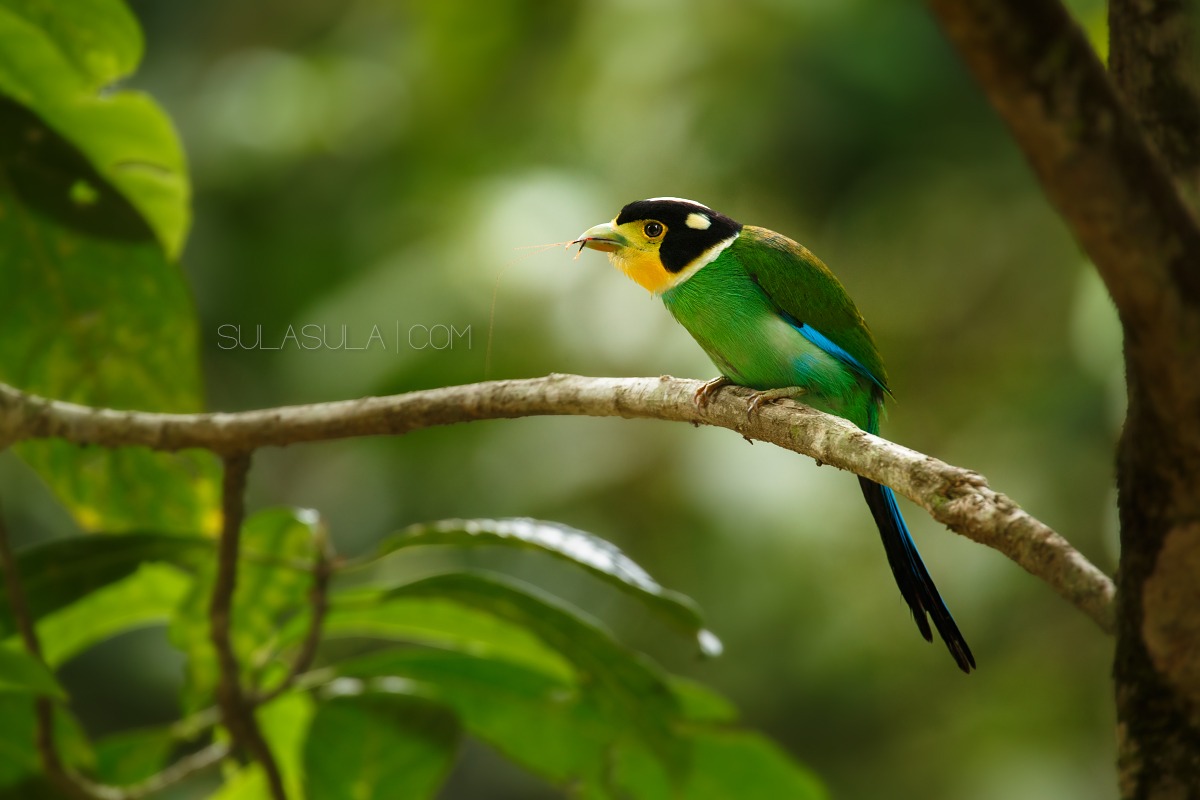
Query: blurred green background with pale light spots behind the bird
x=369, y=164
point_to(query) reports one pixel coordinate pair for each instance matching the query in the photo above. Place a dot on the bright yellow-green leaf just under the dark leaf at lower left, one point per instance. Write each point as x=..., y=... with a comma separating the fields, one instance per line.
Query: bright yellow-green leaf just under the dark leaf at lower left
x=149, y=597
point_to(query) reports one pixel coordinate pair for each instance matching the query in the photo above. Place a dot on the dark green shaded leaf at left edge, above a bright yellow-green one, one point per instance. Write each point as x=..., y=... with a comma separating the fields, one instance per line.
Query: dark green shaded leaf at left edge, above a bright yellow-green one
x=58, y=574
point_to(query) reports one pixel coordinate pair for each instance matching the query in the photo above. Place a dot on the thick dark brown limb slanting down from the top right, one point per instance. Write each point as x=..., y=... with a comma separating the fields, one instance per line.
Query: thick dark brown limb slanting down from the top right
x=1094, y=163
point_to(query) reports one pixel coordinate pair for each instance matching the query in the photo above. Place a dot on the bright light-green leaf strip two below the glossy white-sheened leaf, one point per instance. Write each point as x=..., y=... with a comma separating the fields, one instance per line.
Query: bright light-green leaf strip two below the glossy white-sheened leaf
x=434, y=622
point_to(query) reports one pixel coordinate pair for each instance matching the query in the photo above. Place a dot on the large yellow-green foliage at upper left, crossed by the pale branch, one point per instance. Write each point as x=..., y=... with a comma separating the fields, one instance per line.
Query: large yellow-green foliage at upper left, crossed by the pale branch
x=94, y=207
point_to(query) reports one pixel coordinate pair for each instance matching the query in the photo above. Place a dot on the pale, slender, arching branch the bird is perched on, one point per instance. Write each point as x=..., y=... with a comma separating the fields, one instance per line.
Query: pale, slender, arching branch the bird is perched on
x=958, y=498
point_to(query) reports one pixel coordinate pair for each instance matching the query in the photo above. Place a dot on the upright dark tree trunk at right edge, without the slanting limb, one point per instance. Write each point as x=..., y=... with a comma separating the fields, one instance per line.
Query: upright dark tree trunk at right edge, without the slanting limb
x=1157, y=670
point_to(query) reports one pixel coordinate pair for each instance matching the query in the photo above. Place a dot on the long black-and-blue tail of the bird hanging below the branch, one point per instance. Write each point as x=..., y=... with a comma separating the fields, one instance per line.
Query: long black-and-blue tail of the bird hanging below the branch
x=911, y=575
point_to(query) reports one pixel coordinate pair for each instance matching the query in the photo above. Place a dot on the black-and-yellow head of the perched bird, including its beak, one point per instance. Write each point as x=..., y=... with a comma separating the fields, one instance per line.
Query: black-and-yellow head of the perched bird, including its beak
x=663, y=242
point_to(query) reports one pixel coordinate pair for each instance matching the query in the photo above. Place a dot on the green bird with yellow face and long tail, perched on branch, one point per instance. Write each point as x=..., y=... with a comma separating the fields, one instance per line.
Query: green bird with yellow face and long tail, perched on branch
x=773, y=318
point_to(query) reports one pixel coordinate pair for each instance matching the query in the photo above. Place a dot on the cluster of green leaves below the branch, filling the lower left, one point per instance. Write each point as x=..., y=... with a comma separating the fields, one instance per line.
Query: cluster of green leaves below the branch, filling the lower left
x=513, y=666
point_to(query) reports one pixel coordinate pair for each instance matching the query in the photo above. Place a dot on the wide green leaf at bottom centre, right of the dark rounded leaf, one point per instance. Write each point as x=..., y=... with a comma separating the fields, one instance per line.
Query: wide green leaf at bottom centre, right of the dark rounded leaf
x=554, y=730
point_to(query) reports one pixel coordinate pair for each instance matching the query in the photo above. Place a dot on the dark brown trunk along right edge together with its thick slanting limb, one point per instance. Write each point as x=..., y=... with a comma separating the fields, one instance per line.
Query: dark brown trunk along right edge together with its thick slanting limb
x=1113, y=155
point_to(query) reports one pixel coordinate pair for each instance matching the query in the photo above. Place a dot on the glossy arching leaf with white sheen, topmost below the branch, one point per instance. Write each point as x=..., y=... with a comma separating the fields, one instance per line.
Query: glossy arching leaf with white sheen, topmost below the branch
x=595, y=555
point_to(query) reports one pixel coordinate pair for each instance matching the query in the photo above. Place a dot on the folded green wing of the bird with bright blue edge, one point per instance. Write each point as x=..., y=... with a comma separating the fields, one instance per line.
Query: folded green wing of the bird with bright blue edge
x=807, y=294
